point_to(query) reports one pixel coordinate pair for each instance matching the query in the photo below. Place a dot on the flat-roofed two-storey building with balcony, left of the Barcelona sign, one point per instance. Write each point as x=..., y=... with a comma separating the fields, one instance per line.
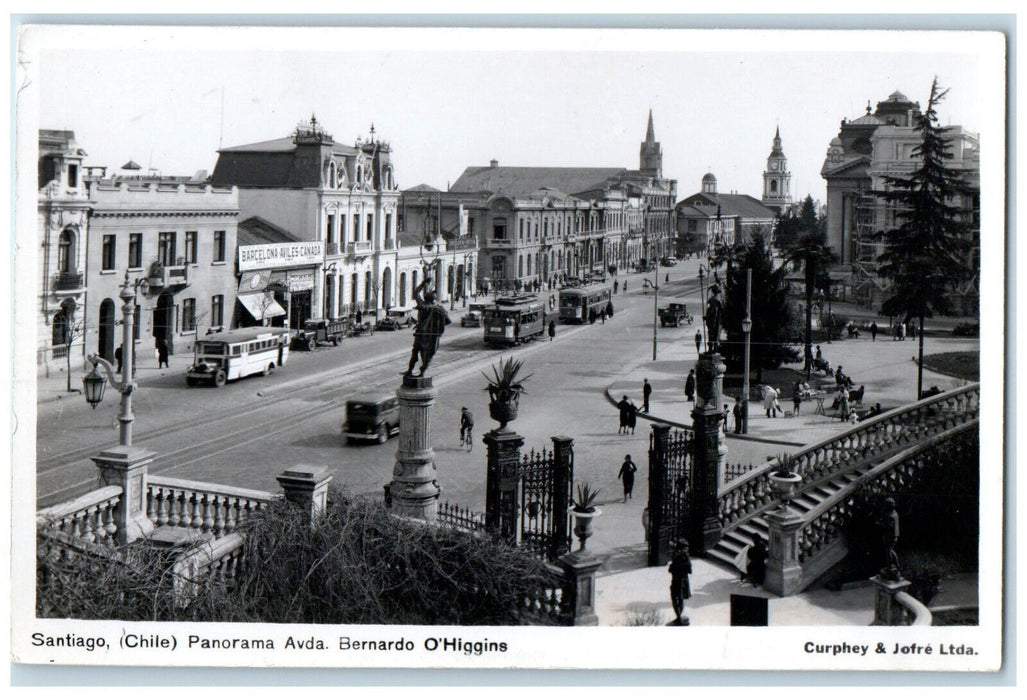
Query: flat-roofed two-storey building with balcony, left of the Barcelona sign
x=179, y=235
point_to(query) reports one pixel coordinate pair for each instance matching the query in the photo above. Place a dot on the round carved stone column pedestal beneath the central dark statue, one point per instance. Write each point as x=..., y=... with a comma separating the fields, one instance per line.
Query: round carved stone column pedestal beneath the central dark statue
x=414, y=490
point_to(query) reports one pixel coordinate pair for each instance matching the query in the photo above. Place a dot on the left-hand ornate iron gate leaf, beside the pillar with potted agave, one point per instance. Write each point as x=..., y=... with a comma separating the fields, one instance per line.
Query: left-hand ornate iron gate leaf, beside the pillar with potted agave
x=546, y=493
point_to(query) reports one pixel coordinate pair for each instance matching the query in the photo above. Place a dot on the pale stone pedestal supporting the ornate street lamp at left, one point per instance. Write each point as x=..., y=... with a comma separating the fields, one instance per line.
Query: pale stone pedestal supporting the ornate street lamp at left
x=127, y=468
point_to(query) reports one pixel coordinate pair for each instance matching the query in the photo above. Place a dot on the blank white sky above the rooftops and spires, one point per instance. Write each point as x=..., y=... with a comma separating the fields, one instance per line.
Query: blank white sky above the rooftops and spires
x=447, y=100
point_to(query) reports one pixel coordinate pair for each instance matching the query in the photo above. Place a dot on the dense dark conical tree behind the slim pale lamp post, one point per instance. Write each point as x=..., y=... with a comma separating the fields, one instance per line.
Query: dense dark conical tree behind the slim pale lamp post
x=771, y=313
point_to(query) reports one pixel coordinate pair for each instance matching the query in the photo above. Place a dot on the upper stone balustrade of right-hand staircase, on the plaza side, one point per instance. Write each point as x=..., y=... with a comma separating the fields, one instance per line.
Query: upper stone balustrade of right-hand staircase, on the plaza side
x=750, y=495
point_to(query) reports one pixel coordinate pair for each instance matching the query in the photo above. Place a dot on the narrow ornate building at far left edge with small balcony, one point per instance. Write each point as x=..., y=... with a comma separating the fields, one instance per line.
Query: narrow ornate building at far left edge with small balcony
x=64, y=225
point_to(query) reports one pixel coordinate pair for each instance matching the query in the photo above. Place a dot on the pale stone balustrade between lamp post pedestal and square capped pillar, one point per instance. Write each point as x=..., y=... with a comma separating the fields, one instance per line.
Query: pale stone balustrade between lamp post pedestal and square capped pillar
x=208, y=508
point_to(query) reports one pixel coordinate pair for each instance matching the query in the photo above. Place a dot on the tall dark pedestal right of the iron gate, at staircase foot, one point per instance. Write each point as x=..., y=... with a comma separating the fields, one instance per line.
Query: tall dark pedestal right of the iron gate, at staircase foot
x=710, y=451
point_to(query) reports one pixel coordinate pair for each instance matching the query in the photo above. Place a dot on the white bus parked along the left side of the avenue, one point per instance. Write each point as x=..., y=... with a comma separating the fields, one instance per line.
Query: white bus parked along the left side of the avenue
x=232, y=355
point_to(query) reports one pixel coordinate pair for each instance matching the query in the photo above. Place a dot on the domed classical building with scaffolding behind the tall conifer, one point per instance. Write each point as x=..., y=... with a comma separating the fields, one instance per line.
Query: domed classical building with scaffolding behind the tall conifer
x=866, y=151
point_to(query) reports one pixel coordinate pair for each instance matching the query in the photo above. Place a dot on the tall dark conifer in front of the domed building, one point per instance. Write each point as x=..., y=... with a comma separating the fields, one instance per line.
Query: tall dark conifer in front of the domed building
x=923, y=257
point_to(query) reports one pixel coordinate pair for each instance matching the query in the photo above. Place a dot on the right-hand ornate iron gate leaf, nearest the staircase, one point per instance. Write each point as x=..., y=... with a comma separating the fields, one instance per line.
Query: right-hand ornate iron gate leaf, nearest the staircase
x=670, y=489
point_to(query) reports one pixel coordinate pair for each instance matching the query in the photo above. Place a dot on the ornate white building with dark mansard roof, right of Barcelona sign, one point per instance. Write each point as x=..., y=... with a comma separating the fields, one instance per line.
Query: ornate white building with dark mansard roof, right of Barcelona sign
x=347, y=198
